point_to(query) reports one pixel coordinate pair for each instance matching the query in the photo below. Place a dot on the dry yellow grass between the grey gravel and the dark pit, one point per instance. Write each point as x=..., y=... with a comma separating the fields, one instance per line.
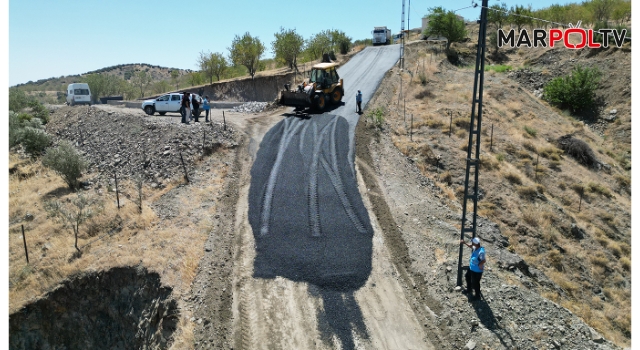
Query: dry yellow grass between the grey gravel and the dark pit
x=172, y=248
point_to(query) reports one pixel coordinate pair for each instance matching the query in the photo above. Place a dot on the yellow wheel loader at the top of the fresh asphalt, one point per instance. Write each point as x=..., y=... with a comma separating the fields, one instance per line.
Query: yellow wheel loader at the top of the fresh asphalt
x=324, y=87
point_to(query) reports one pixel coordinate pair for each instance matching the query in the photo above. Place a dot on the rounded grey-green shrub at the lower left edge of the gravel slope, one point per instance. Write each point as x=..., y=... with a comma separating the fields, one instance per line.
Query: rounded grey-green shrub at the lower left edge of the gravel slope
x=66, y=162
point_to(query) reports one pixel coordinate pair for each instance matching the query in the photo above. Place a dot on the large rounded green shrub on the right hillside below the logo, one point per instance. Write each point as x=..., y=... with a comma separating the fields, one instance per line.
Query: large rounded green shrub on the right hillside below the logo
x=576, y=91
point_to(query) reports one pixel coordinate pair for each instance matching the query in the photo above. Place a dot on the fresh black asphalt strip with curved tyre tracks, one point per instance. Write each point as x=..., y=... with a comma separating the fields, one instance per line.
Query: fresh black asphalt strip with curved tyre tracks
x=307, y=216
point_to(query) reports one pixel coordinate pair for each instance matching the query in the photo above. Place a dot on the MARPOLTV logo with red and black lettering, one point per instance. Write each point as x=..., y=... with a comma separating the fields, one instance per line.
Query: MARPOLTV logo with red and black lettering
x=556, y=37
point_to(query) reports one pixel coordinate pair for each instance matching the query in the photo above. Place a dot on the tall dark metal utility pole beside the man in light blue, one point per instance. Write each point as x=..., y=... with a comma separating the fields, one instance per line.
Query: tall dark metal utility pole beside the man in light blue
x=473, y=157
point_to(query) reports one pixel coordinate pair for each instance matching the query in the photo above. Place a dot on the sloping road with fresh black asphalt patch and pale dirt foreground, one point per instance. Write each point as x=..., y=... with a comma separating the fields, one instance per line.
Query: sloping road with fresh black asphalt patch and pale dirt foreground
x=310, y=266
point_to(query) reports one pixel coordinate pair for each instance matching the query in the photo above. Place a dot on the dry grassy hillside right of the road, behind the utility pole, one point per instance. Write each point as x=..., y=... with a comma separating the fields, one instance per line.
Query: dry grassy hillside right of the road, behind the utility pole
x=529, y=188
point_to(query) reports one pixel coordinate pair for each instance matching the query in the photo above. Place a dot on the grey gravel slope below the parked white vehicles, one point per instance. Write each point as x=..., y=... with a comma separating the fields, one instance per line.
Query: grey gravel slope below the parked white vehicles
x=132, y=145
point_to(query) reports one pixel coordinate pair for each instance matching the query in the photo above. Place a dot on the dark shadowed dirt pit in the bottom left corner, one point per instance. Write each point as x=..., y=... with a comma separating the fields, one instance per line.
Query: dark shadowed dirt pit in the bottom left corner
x=122, y=308
